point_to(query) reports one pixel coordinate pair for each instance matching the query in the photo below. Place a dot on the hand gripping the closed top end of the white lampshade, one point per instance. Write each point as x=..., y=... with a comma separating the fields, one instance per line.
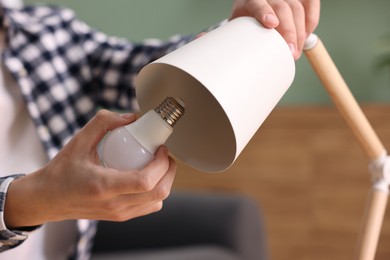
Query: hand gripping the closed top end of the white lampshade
x=295, y=20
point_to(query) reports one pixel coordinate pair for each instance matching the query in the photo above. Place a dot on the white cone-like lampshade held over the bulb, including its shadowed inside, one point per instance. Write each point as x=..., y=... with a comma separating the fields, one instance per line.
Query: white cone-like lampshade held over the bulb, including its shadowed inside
x=230, y=79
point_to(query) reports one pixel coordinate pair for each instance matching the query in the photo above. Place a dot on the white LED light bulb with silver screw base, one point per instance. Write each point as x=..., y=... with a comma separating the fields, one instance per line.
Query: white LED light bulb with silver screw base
x=134, y=145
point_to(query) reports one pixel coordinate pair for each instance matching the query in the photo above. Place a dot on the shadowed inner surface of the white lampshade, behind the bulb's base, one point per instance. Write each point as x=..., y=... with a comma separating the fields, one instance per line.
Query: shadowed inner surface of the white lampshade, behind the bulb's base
x=204, y=137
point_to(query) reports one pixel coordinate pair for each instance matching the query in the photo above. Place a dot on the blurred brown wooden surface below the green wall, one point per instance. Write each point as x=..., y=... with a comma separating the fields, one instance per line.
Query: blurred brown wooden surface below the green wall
x=310, y=178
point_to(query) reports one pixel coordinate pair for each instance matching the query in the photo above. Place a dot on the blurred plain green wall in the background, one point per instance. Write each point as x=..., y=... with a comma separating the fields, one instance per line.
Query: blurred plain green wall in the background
x=350, y=29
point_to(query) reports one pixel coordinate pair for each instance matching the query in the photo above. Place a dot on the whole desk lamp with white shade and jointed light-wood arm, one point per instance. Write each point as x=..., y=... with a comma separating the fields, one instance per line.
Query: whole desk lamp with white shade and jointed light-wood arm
x=230, y=80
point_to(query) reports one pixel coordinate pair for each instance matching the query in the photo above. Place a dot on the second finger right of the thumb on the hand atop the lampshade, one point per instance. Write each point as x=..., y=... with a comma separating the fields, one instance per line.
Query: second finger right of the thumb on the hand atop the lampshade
x=298, y=13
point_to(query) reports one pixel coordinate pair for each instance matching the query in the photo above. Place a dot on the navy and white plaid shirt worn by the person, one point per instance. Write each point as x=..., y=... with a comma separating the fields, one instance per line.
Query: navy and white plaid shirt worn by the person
x=65, y=70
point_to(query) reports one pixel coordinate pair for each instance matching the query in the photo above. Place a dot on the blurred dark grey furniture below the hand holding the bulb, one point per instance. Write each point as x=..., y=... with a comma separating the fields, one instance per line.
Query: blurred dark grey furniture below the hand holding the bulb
x=191, y=226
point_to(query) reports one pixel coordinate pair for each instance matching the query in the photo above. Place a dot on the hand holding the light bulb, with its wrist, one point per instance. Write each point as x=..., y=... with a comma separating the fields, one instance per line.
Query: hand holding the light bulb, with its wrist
x=75, y=186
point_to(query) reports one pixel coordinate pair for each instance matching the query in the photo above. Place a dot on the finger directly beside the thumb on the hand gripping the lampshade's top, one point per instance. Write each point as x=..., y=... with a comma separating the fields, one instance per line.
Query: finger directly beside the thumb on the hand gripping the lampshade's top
x=286, y=26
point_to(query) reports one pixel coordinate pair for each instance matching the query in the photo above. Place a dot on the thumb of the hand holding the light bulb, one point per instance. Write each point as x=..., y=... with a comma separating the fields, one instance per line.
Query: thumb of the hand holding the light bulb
x=103, y=122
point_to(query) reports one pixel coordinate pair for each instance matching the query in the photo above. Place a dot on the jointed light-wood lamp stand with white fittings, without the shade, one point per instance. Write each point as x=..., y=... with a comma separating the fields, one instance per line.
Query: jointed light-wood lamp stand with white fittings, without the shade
x=348, y=107
